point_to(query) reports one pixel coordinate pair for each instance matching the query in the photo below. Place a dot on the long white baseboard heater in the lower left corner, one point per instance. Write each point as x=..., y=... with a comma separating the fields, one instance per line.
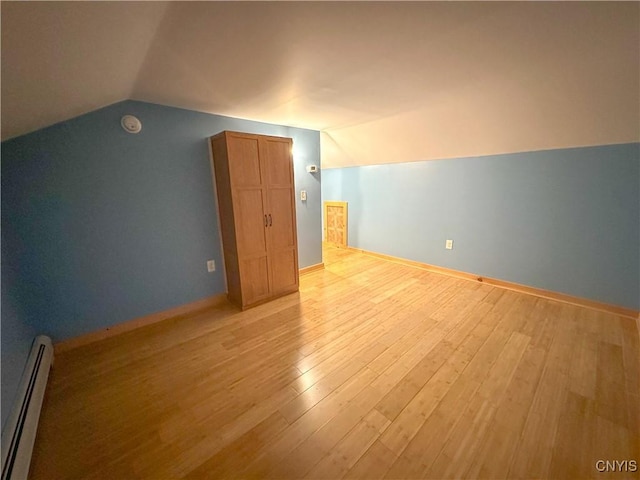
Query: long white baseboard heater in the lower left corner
x=19, y=433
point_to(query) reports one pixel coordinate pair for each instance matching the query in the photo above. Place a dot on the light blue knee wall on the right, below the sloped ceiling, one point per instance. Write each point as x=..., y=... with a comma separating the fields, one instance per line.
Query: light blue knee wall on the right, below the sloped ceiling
x=564, y=220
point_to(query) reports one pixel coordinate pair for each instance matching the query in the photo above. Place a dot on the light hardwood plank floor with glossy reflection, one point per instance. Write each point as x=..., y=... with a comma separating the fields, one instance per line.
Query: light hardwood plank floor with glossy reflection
x=375, y=370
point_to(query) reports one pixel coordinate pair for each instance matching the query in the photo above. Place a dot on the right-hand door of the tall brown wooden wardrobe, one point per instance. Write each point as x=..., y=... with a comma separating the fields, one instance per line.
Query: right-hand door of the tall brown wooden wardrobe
x=281, y=233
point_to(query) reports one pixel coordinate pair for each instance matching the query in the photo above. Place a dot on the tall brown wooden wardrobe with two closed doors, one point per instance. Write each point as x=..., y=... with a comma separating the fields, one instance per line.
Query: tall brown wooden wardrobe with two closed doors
x=256, y=202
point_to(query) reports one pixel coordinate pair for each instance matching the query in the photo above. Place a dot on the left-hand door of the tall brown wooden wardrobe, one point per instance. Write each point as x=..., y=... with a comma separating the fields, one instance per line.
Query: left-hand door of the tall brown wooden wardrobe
x=249, y=197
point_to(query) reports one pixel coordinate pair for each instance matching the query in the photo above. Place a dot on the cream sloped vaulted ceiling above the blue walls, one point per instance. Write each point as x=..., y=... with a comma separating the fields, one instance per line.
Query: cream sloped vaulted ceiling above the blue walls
x=383, y=81
